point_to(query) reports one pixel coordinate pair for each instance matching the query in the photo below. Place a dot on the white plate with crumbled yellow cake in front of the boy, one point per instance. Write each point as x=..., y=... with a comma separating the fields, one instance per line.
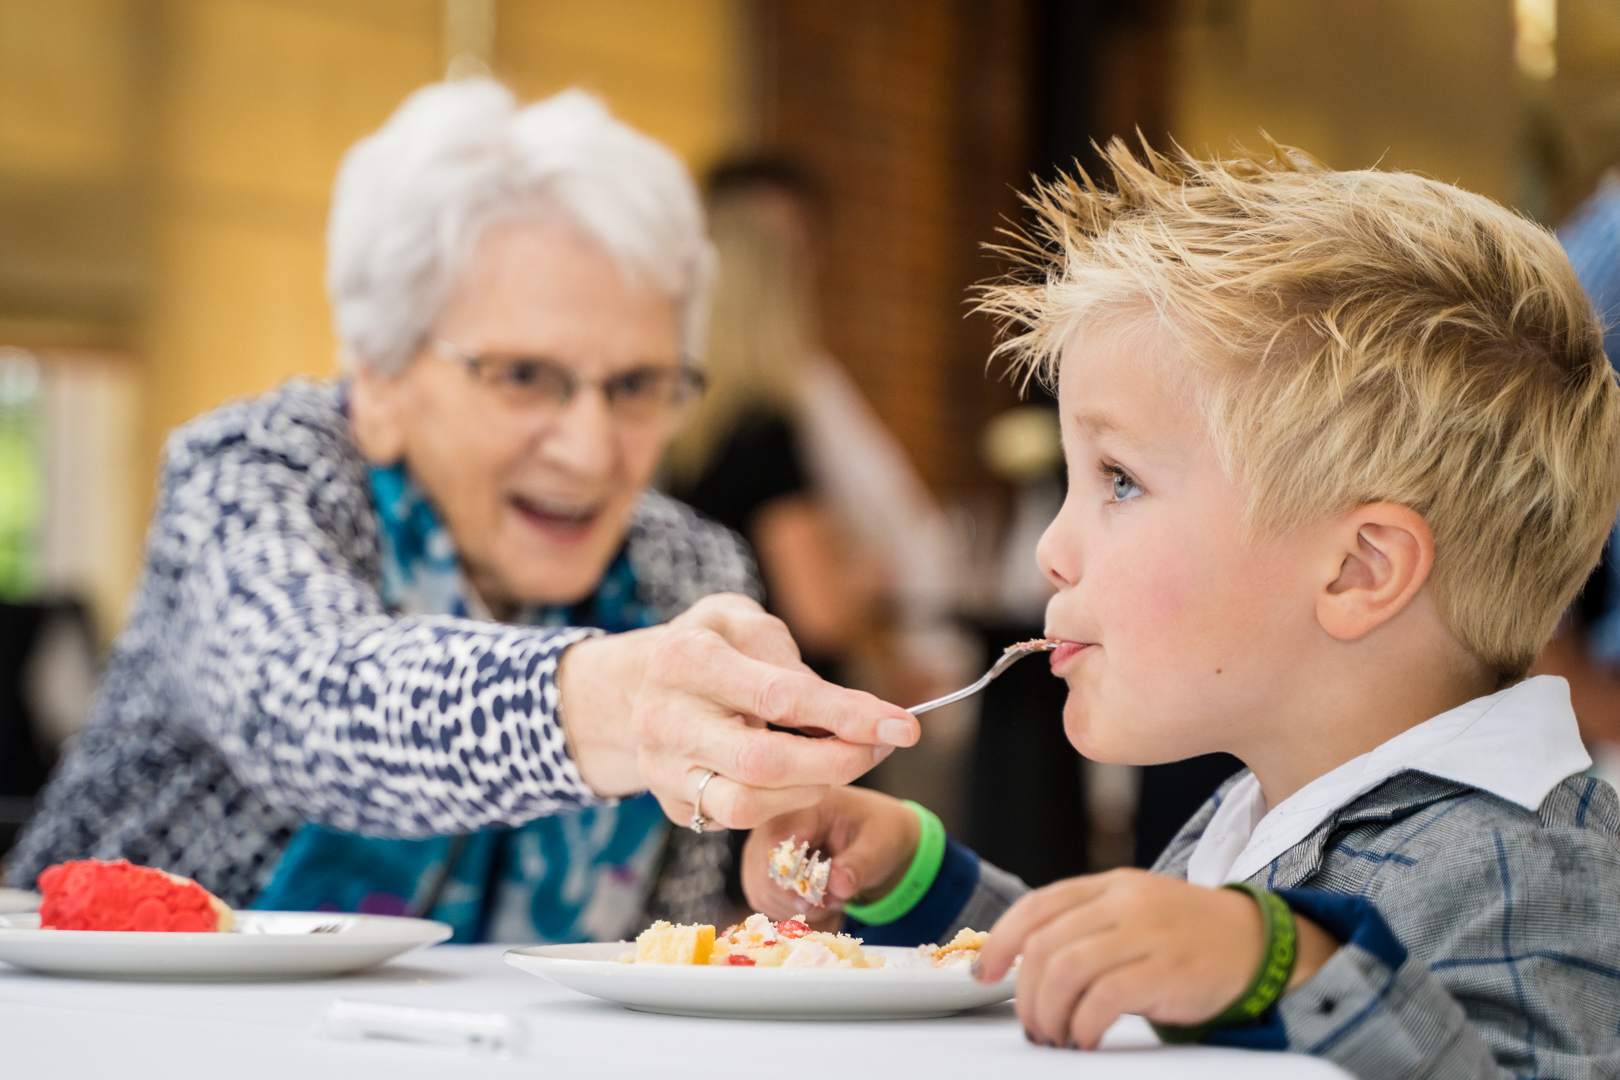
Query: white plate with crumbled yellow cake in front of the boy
x=770, y=971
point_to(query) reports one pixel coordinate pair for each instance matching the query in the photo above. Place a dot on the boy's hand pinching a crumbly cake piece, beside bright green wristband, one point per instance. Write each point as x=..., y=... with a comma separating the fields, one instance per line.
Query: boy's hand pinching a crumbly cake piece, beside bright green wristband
x=871, y=840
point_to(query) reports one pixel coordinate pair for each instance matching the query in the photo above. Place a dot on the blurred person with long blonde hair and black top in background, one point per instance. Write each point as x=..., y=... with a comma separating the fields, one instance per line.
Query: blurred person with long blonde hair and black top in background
x=787, y=451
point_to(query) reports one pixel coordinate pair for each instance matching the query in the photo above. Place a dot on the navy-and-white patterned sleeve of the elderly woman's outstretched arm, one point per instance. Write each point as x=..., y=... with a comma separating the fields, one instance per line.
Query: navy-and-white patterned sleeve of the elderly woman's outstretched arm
x=320, y=700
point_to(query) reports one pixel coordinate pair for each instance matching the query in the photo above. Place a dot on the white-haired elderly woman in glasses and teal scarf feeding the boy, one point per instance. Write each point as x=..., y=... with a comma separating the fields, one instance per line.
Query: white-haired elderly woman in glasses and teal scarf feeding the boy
x=367, y=666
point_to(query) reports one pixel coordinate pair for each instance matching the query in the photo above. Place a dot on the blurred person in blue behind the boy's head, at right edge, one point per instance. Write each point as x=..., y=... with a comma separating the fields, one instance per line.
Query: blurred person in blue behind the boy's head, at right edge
x=1587, y=648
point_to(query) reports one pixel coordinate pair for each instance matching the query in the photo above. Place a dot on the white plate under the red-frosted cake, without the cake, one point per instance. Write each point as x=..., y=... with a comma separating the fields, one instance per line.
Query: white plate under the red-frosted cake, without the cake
x=265, y=946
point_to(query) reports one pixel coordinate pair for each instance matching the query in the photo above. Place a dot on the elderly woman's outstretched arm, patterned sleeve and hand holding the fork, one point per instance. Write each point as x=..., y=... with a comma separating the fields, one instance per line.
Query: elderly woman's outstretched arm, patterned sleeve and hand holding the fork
x=360, y=721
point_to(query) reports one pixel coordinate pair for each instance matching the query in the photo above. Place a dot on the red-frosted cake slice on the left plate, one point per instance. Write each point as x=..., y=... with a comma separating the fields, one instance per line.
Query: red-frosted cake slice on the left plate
x=95, y=895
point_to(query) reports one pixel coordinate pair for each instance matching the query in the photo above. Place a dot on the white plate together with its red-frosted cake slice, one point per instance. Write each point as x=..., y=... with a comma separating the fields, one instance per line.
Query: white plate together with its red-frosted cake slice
x=117, y=921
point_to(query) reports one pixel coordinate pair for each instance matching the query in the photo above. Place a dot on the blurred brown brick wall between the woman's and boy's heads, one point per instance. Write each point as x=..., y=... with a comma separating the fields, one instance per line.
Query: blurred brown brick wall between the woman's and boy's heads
x=914, y=117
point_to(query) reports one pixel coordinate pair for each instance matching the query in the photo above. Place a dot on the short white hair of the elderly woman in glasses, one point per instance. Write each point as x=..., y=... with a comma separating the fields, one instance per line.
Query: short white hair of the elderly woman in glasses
x=456, y=158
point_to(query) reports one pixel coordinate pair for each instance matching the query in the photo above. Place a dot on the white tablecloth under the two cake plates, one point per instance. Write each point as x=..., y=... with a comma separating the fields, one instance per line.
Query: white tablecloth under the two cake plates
x=273, y=1031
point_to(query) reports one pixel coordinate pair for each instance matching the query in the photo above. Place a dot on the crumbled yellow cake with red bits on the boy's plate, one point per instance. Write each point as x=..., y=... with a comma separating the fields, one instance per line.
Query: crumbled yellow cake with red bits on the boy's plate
x=752, y=943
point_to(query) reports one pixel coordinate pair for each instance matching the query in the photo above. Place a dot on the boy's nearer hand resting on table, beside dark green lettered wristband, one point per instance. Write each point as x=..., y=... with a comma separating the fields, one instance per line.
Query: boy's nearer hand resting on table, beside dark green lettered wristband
x=1132, y=942
